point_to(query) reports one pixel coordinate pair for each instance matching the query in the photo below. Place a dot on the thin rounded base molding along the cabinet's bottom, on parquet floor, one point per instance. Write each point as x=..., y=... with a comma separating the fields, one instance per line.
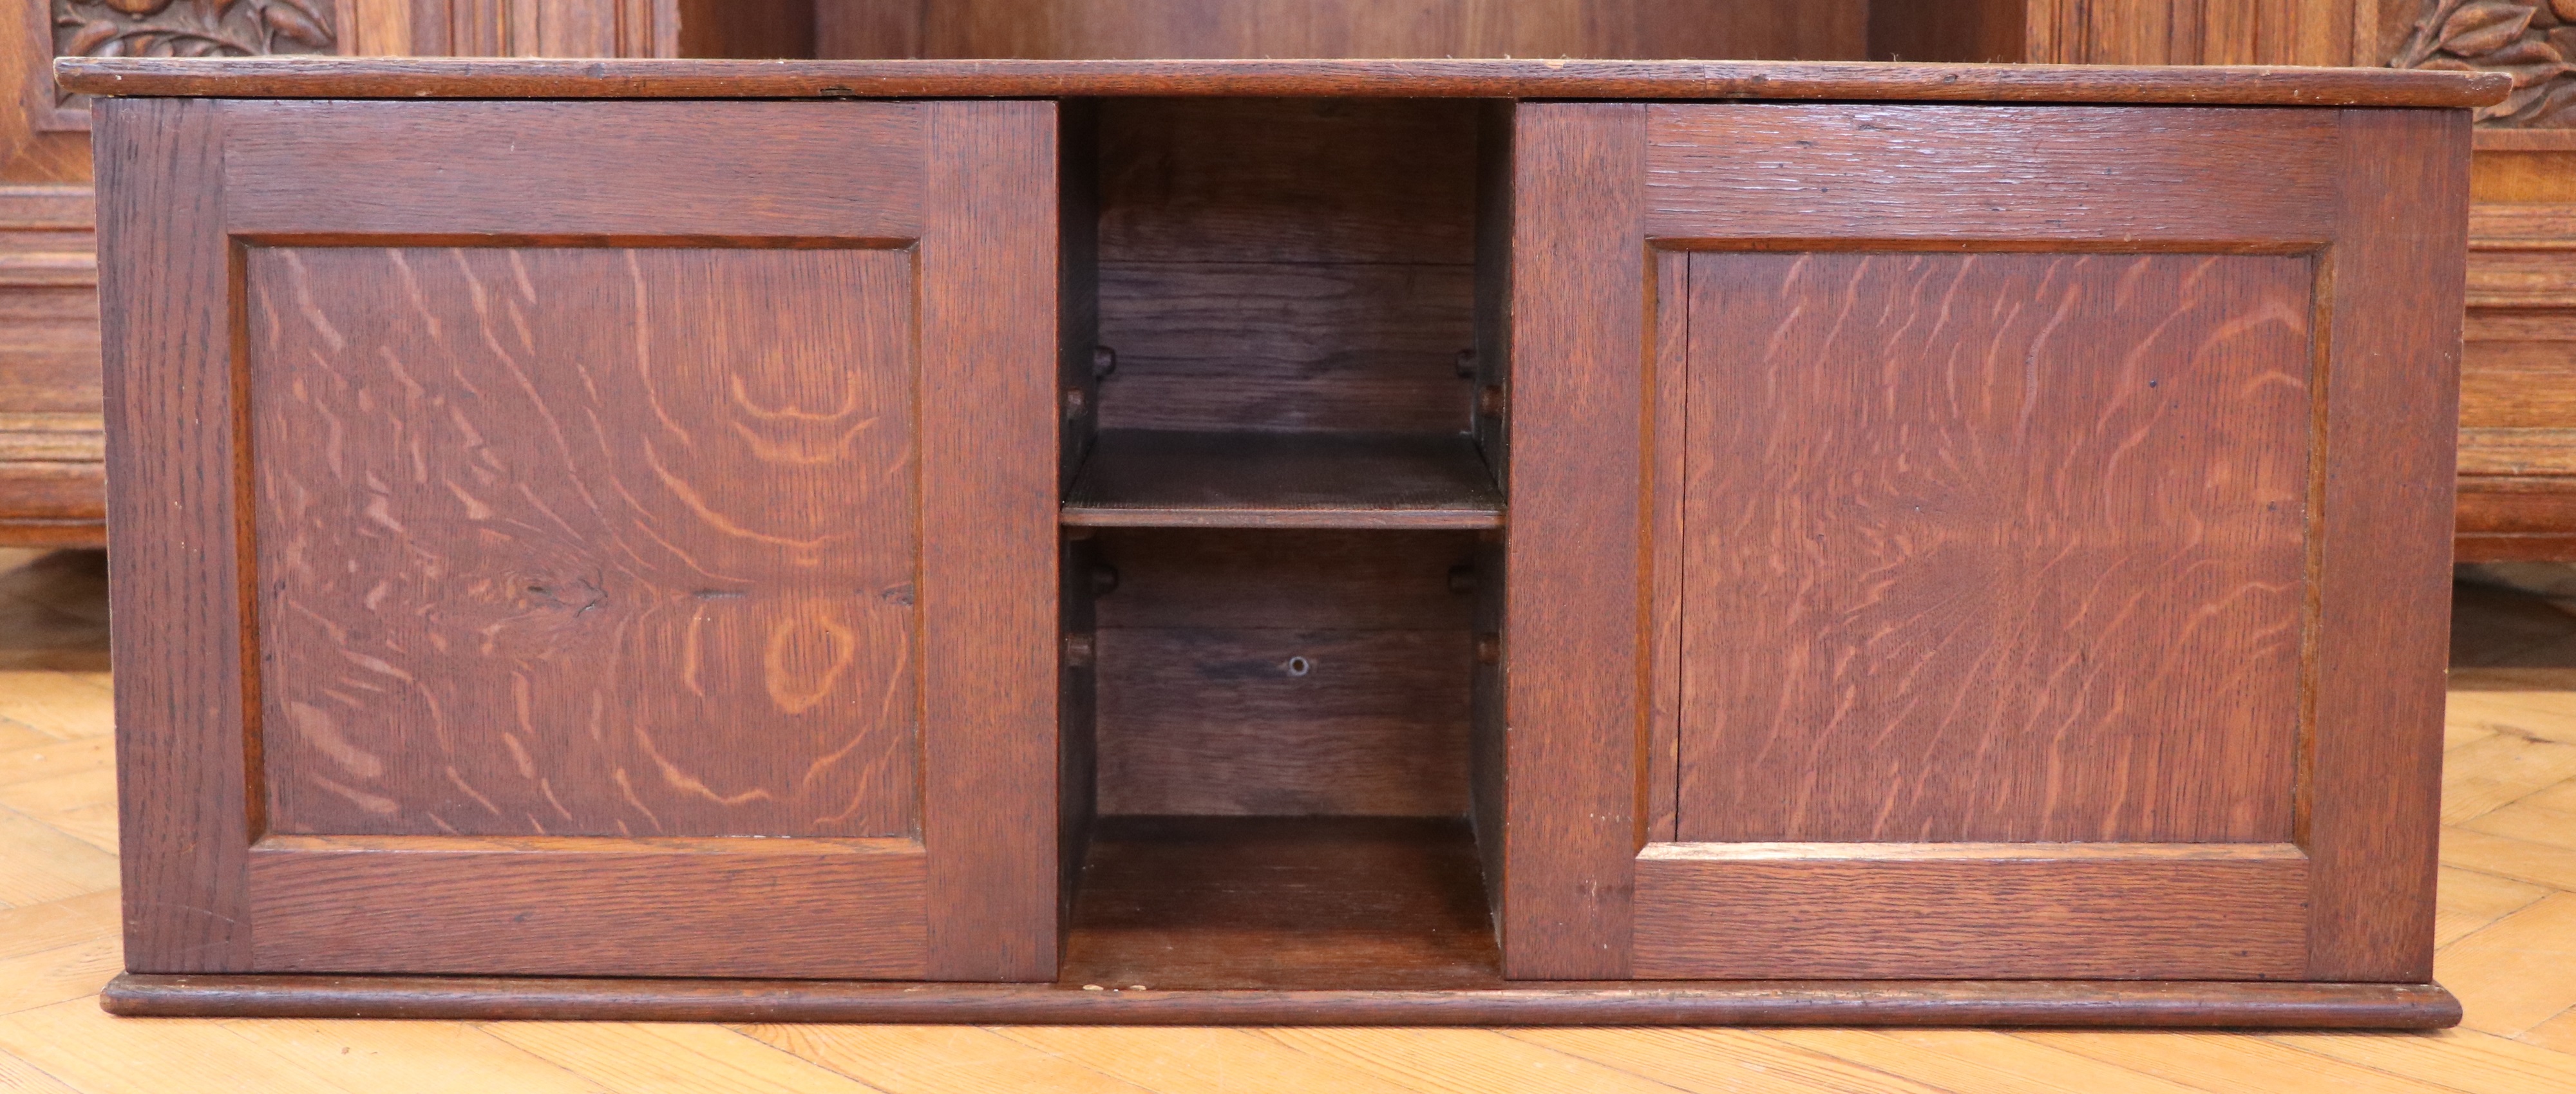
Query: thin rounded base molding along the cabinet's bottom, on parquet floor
x=1596, y=1003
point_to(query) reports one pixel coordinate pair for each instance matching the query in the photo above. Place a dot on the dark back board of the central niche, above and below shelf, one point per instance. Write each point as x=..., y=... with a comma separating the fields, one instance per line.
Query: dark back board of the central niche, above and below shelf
x=1284, y=266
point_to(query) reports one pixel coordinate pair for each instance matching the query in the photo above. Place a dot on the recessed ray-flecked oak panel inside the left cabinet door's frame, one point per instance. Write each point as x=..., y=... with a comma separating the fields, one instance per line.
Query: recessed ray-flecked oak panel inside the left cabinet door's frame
x=586, y=542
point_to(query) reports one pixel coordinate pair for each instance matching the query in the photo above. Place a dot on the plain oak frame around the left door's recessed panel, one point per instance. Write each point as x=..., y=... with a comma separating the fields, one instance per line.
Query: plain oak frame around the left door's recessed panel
x=972, y=192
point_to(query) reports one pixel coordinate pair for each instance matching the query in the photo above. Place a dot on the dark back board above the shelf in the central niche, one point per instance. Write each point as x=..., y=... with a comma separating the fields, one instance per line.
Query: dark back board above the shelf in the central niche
x=1287, y=264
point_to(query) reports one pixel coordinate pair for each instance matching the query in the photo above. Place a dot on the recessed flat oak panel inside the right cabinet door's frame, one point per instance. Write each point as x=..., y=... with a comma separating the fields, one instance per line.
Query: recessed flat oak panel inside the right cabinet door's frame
x=2029, y=575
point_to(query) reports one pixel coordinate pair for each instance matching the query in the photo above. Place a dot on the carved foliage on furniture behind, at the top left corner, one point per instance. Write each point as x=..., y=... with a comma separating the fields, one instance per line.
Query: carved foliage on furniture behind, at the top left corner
x=192, y=27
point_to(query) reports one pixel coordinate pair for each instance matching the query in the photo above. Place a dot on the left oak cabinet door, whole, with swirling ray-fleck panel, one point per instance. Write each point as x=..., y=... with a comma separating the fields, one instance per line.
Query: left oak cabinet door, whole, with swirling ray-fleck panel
x=596, y=539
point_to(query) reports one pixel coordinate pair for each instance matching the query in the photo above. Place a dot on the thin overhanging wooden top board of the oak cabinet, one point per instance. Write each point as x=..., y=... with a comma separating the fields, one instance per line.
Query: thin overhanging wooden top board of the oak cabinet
x=1264, y=79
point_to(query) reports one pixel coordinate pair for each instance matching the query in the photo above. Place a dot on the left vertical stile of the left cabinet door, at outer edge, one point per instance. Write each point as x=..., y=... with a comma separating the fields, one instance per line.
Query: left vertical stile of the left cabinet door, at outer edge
x=176, y=580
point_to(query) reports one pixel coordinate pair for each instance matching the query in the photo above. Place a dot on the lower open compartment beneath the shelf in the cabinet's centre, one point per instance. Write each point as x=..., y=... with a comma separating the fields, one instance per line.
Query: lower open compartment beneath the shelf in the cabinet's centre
x=1282, y=763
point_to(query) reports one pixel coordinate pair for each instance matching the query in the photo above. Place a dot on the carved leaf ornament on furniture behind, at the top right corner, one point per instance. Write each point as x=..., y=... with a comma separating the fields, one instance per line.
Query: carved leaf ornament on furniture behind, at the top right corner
x=2533, y=42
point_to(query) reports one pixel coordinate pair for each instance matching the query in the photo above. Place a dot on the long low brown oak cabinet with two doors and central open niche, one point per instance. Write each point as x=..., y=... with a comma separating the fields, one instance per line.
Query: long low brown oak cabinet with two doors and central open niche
x=1282, y=542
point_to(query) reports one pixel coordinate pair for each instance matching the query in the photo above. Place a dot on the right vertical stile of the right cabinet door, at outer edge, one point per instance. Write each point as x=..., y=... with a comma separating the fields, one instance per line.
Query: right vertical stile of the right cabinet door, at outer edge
x=2382, y=570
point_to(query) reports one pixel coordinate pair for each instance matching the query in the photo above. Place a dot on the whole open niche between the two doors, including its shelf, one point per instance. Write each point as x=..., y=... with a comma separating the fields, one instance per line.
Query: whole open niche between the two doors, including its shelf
x=1274, y=547
